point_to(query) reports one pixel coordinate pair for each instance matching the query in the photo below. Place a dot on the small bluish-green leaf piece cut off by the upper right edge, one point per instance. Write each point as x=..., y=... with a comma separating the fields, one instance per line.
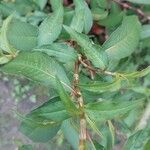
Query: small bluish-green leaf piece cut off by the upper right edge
x=145, y=31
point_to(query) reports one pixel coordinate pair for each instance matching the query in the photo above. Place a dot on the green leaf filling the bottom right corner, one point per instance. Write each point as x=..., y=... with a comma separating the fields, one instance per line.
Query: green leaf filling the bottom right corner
x=137, y=140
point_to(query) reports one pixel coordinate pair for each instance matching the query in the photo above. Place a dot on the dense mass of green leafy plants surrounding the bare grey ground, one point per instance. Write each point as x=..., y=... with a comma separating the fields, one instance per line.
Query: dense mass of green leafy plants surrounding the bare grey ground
x=93, y=57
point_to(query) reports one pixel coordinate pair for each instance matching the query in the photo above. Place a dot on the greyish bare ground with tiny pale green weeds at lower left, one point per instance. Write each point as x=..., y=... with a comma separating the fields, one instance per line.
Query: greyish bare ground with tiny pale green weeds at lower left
x=10, y=137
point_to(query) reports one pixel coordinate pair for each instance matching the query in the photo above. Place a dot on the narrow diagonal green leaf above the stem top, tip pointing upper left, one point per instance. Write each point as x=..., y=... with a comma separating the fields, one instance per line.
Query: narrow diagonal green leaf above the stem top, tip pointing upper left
x=92, y=52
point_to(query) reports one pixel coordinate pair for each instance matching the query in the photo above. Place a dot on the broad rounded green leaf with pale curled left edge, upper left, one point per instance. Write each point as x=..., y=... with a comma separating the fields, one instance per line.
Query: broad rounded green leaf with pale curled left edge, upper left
x=18, y=35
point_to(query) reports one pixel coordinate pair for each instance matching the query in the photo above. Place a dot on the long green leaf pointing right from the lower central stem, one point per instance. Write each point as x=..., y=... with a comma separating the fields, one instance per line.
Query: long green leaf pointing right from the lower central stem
x=105, y=110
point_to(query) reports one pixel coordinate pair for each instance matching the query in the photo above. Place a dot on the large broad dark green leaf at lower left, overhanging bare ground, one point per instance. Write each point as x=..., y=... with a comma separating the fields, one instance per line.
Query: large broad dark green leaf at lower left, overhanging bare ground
x=42, y=124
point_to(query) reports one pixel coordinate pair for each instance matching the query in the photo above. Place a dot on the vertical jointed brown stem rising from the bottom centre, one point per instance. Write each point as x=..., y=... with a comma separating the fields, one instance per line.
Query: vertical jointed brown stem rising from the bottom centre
x=79, y=97
